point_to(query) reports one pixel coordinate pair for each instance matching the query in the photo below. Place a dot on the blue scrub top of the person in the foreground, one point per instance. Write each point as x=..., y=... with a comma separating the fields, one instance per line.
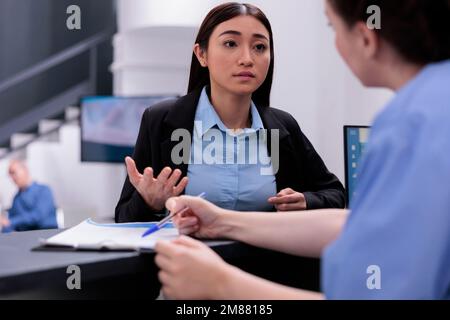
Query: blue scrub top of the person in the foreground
x=396, y=242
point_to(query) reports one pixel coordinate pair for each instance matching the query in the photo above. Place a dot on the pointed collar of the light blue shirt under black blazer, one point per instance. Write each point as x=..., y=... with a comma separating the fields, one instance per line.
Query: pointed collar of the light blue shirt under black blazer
x=207, y=116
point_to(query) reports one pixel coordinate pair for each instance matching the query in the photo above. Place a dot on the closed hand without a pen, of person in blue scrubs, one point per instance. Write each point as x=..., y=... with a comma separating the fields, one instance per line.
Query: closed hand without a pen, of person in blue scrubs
x=189, y=269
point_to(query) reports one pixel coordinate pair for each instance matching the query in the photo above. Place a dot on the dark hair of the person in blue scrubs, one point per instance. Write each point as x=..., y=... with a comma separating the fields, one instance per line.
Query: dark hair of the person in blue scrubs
x=417, y=29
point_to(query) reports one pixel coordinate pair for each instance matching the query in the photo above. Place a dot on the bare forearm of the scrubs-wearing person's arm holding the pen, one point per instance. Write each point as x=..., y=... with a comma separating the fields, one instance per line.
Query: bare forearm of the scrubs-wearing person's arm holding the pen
x=304, y=233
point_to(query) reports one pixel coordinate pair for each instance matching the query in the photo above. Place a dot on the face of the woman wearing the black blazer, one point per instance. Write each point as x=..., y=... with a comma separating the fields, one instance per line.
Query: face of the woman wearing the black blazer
x=238, y=55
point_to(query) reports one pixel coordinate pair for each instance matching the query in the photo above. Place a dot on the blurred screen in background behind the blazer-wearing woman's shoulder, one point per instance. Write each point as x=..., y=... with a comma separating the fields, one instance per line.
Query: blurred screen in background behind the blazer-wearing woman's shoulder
x=110, y=125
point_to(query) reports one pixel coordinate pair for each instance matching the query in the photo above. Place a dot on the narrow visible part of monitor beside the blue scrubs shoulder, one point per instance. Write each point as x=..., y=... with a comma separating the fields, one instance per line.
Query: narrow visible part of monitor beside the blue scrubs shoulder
x=355, y=139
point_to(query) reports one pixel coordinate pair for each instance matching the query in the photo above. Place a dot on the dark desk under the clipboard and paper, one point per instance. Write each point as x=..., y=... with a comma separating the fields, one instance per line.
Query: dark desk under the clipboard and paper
x=107, y=274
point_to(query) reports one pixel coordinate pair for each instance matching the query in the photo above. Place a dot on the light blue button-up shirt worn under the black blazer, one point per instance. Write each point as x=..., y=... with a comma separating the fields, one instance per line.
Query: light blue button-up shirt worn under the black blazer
x=231, y=168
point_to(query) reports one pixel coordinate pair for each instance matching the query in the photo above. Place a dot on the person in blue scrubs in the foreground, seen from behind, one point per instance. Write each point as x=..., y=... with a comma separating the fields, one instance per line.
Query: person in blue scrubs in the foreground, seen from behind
x=394, y=243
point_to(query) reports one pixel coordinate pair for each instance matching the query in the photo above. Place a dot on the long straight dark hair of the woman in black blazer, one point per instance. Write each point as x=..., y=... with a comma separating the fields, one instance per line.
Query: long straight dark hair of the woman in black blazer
x=199, y=76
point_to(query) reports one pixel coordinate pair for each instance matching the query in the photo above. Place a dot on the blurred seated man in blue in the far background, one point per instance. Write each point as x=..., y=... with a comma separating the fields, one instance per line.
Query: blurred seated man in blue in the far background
x=33, y=206
